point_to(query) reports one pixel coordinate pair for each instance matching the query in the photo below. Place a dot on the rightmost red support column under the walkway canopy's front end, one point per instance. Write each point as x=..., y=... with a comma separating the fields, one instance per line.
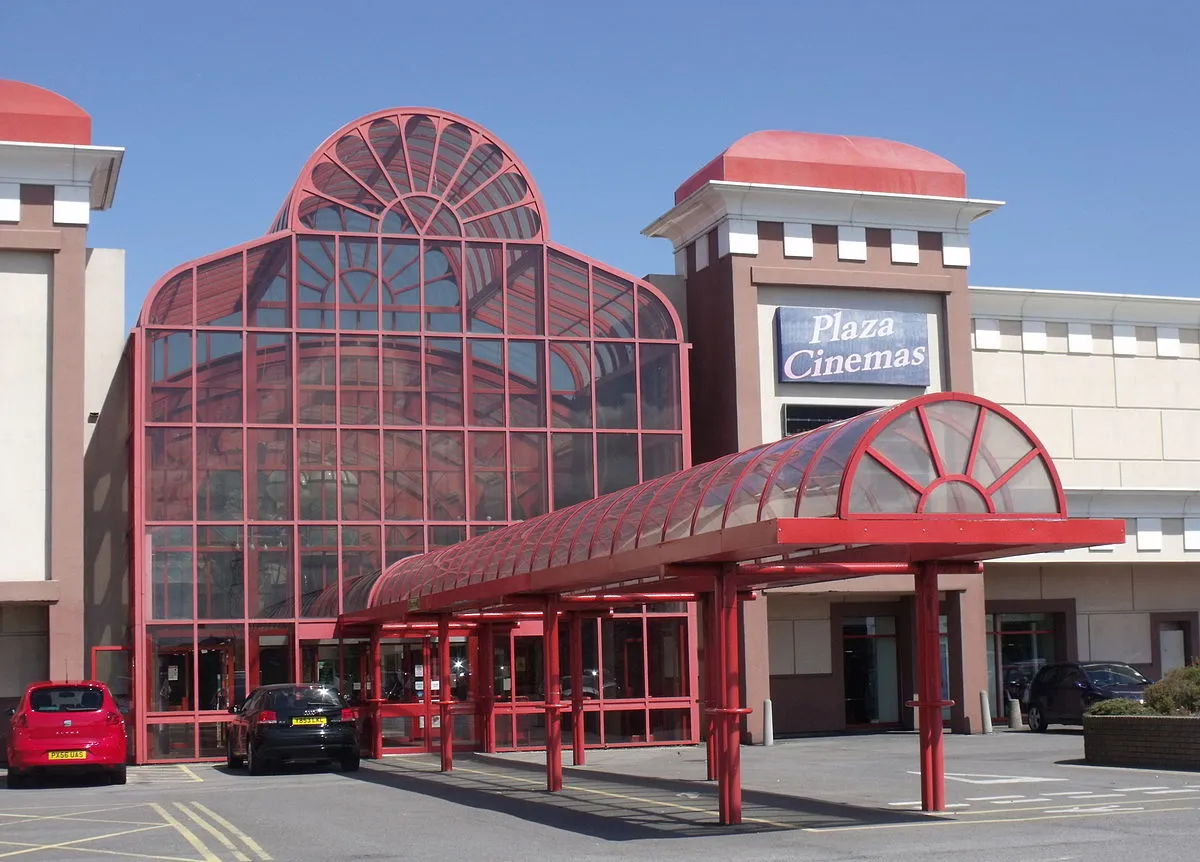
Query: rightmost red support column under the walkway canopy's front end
x=929, y=691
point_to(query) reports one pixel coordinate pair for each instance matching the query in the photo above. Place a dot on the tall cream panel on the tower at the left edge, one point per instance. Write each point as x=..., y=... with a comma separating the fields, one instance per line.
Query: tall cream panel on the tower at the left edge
x=25, y=382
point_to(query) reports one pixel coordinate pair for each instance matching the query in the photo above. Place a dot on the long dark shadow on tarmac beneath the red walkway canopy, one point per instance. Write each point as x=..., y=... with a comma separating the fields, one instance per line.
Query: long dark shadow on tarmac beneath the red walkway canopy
x=609, y=806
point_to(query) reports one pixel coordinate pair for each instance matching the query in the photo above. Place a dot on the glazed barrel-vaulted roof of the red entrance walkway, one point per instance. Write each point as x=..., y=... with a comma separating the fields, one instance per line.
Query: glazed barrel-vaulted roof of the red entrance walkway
x=945, y=456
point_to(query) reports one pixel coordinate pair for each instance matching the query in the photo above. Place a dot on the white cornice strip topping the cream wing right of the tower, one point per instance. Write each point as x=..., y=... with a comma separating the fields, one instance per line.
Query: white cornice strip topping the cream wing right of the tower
x=1010, y=303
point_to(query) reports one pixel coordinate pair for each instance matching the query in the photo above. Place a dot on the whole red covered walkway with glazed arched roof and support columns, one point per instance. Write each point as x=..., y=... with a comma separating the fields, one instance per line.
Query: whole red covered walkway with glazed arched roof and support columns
x=933, y=486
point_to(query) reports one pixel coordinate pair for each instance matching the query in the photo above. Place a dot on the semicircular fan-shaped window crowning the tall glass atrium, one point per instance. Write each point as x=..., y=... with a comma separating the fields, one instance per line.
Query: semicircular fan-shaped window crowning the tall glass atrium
x=417, y=173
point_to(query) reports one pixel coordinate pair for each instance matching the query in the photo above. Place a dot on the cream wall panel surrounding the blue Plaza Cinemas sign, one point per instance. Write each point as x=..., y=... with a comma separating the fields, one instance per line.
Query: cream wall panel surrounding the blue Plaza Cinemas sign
x=775, y=396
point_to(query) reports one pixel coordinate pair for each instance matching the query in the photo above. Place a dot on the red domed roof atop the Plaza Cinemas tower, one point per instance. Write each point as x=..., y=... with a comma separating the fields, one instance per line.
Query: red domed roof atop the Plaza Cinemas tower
x=832, y=161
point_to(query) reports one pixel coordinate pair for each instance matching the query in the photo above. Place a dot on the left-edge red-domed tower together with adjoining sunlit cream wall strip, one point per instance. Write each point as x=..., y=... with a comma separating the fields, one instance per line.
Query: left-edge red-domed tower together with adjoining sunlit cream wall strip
x=62, y=331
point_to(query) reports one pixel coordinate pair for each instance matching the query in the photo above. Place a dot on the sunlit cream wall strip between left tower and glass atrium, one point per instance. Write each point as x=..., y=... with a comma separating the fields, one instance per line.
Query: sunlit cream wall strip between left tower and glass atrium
x=105, y=333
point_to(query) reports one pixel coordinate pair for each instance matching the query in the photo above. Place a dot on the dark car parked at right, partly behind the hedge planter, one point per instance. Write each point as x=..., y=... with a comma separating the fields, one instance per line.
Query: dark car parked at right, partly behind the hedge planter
x=1060, y=693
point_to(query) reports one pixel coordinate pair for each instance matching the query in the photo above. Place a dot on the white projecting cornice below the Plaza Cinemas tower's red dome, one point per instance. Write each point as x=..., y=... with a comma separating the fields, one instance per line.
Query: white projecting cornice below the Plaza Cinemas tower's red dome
x=721, y=200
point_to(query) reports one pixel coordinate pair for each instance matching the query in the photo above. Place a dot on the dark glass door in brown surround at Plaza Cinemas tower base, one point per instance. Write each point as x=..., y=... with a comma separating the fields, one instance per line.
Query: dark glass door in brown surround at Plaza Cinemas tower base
x=871, y=672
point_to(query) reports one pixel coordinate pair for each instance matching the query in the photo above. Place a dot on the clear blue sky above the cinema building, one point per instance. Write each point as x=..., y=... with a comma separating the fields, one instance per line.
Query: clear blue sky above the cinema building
x=1082, y=116
